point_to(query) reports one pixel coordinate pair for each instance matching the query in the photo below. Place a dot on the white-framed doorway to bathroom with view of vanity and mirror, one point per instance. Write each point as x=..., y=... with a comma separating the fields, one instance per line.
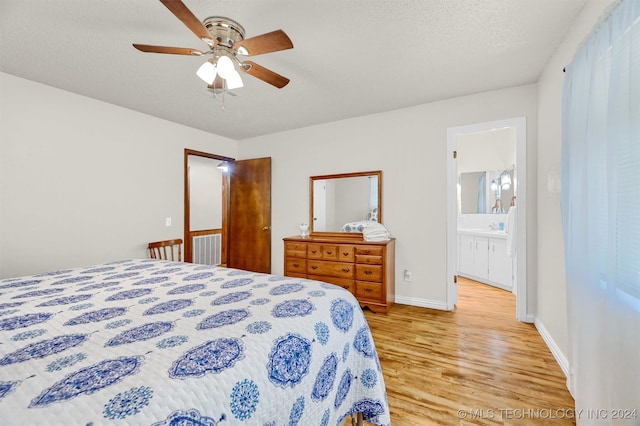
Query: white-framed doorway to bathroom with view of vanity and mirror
x=480, y=211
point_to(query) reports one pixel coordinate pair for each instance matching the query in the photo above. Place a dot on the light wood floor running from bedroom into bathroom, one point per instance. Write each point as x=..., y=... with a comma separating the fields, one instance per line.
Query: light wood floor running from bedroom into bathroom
x=478, y=359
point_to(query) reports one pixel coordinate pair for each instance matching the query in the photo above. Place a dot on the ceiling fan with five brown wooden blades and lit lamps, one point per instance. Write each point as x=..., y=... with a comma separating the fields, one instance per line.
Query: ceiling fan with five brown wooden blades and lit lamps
x=225, y=39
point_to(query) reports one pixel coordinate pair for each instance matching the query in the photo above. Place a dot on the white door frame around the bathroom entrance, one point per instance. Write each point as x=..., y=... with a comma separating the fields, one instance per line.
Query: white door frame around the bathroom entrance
x=520, y=124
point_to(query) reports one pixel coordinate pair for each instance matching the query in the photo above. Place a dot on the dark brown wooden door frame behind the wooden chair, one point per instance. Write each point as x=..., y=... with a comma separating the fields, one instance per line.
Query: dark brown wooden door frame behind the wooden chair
x=188, y=244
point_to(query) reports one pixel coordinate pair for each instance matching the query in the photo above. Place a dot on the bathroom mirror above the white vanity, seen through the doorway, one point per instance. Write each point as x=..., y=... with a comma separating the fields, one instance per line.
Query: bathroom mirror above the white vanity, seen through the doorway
x=486, y=192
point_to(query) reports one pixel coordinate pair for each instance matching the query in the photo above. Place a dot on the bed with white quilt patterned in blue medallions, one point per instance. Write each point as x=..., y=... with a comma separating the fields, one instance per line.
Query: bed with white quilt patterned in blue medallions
x=152, y=342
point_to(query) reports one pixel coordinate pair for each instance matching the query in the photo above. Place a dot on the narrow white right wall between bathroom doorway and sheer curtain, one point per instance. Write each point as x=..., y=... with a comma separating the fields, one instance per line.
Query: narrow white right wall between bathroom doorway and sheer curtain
x=552, y=301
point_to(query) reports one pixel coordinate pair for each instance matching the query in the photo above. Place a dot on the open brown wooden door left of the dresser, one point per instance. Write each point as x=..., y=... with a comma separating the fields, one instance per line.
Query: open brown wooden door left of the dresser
x=250, y=215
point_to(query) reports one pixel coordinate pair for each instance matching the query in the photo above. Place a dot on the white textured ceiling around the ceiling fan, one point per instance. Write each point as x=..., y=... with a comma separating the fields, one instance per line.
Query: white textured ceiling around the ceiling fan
x=350, y=57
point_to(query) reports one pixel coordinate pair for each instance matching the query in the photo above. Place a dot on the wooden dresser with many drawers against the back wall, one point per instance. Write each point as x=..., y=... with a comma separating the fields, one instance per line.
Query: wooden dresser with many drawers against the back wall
x=365, y=268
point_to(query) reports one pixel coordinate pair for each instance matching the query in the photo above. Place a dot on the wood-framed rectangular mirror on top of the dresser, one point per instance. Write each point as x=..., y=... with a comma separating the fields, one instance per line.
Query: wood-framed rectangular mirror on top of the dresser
x=345, y=203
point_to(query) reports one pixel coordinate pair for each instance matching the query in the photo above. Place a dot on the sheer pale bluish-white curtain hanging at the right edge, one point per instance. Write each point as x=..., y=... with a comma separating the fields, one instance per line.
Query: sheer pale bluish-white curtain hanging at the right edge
x=601, y=219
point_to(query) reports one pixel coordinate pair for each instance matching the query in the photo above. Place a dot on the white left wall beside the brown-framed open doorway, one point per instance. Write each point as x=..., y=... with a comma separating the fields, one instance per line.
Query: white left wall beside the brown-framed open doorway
x=85, y=182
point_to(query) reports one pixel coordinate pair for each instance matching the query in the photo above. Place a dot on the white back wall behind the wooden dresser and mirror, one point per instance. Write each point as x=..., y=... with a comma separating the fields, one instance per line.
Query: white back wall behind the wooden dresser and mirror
x=409, y=146
